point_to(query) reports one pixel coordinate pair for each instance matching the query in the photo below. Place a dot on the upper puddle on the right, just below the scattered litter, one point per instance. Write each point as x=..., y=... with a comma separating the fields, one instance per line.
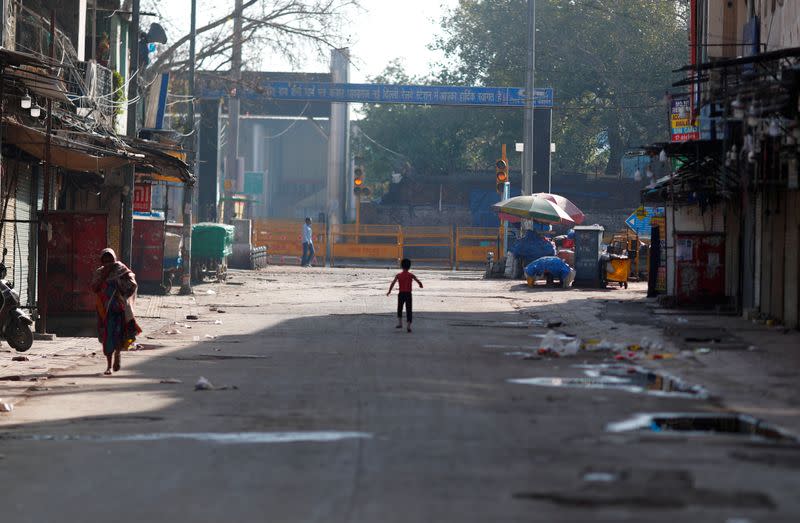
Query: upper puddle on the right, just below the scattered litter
x=622, y=377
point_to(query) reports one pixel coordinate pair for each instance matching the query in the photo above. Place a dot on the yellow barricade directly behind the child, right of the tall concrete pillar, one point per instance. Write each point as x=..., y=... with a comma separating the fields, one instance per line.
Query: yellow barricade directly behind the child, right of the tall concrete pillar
x=371, y=242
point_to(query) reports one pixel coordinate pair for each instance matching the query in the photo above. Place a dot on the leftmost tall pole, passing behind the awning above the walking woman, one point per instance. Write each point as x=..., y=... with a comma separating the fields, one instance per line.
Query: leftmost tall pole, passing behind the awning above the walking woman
x=133, y=92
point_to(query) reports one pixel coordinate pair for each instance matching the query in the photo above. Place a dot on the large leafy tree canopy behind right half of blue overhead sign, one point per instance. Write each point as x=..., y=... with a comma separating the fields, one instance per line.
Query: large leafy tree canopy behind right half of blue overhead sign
x=609, y=62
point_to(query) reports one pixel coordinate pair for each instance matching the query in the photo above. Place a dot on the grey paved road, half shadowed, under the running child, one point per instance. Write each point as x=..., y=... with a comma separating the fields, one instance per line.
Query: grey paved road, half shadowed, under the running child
x=325, y=412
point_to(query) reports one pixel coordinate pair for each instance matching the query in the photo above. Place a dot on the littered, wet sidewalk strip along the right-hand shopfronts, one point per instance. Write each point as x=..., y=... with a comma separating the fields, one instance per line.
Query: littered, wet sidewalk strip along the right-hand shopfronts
x=749, y=367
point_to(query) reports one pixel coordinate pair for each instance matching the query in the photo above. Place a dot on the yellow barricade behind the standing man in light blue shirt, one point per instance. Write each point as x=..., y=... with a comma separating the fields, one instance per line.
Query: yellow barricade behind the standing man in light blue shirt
x=283, y=239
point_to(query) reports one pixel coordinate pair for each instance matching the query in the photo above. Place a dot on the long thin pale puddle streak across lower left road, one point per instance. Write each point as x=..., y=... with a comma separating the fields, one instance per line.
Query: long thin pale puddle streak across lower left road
x=205, y=437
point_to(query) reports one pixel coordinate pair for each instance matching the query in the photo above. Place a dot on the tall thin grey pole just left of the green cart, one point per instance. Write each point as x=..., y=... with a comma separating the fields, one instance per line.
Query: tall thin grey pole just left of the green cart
x=188, y=189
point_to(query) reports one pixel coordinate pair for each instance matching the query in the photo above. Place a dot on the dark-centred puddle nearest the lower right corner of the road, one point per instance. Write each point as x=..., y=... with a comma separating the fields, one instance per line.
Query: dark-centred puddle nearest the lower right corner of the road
x=703, y=424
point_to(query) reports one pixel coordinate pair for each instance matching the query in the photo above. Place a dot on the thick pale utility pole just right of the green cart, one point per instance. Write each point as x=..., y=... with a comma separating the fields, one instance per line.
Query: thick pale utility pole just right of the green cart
x=231, y=165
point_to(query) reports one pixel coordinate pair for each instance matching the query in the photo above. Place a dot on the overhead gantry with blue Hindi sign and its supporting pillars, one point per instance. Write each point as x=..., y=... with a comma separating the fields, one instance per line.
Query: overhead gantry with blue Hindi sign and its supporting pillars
x=307, y=96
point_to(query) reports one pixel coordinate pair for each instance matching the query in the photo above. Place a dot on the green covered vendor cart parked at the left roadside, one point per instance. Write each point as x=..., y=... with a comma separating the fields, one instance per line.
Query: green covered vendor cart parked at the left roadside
x=212, y=243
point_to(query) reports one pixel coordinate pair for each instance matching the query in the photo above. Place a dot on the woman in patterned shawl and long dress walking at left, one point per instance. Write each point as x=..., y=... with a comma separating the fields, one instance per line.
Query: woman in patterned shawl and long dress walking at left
x=114, y=284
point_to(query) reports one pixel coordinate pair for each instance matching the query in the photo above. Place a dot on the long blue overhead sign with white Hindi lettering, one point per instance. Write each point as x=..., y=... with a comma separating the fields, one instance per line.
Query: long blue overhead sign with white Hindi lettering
x=394, y=94
